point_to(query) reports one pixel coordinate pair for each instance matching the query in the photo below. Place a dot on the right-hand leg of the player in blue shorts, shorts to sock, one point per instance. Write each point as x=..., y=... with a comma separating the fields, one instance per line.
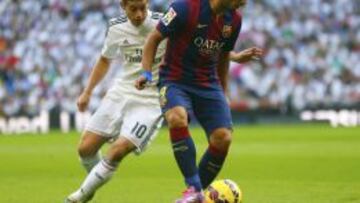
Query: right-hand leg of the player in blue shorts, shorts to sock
x=214, y=115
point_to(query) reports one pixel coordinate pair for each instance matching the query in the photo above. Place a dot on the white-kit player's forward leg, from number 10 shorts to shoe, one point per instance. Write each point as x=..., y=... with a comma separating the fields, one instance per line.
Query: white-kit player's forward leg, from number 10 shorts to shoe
x=136, y=132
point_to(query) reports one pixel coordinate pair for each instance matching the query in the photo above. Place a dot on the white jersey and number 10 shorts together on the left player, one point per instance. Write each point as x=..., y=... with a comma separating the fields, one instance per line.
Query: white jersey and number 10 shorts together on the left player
x=126, y=111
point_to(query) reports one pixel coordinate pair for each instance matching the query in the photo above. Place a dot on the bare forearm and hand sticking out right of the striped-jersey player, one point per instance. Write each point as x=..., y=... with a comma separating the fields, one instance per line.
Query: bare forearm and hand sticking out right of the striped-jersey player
x=246, y=55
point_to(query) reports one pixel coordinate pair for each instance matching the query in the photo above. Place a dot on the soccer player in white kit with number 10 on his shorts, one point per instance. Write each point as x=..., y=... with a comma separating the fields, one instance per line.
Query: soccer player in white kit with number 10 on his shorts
x=127, y=114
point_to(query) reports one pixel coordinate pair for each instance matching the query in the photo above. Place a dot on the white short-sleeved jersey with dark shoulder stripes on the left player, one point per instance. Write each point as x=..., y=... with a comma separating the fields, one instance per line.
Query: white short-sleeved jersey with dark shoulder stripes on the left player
x=126, y=42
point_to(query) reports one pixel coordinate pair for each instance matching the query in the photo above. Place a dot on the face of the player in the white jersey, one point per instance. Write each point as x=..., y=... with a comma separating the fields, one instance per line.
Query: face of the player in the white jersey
x=136, y=11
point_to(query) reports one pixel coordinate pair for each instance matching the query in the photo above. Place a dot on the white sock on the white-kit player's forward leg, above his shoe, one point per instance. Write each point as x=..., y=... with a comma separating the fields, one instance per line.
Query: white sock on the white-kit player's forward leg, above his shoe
x=98, y=176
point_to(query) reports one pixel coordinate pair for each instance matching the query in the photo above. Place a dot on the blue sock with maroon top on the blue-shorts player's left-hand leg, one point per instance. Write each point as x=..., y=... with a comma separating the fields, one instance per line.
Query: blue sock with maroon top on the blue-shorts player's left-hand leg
x=185, y=155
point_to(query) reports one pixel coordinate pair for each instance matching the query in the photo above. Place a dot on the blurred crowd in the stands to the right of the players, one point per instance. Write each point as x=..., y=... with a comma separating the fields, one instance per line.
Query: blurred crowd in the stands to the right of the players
x=309, y=45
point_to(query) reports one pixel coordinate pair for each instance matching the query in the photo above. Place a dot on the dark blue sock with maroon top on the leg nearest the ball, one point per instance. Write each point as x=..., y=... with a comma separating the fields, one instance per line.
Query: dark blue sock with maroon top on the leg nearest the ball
x=210, y=165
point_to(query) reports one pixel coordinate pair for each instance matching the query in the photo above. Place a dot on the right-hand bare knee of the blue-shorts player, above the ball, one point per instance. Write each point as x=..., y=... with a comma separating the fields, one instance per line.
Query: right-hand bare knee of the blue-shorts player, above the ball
x=221, y=138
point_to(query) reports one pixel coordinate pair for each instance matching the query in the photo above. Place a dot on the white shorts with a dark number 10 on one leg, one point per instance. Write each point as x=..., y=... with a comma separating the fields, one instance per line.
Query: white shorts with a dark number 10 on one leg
x=130, y=118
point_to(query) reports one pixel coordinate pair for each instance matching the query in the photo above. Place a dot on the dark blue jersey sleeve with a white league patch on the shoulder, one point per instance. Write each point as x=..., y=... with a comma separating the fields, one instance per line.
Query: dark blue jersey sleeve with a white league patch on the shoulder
x=174, y=19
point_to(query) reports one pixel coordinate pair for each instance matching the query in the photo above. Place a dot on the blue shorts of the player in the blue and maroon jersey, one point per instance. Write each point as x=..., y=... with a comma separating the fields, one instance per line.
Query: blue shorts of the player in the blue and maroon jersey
x=209, y=107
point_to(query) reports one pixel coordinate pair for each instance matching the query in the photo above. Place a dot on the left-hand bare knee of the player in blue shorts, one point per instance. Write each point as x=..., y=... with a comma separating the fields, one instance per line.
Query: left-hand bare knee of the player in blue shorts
x=177, y=118
